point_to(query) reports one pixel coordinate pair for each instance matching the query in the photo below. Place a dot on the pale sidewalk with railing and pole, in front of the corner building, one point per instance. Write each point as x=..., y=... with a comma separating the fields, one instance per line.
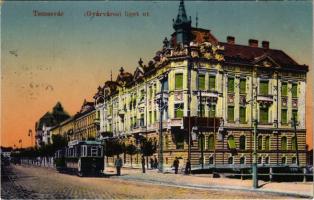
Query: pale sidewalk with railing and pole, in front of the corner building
x=203, y=181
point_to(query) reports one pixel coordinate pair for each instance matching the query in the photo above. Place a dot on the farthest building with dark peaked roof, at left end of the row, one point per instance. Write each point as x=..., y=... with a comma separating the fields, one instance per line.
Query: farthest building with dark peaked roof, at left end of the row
x=46, y=122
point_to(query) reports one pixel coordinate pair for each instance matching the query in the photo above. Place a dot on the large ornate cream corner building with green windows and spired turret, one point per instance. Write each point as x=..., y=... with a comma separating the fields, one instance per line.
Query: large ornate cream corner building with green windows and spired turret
x=200, y=98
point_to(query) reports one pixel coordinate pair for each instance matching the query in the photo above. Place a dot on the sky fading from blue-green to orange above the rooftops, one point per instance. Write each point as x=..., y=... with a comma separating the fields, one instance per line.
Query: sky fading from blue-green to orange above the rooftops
x=49, y=59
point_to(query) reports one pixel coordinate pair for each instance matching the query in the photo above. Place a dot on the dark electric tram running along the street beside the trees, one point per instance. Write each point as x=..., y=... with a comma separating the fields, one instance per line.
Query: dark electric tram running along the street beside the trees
x=81, y=157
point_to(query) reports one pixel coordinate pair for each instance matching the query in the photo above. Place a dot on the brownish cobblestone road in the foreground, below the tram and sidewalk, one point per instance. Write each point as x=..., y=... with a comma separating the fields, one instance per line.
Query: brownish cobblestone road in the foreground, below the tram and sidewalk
x=25, y=182
